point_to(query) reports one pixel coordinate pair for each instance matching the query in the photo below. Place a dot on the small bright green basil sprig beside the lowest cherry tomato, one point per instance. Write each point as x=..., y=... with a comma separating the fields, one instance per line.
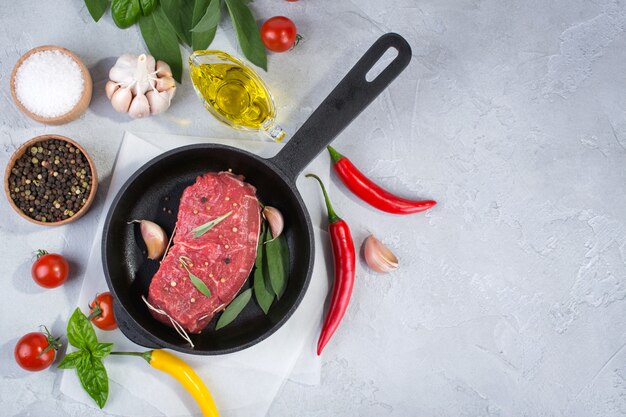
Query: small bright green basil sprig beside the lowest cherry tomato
x=87, y=360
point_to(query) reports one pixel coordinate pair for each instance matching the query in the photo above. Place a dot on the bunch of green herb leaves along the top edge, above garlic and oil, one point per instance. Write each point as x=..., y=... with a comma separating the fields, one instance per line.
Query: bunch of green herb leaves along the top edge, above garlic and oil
x=166, y=23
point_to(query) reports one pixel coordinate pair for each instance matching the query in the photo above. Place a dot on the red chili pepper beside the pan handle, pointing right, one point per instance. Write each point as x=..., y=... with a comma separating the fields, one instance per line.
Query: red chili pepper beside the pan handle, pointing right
x=370, y=192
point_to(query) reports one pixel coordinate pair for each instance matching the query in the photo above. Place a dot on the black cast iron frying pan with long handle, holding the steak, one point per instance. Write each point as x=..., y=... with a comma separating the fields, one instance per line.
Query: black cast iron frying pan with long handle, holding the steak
x=160, y=183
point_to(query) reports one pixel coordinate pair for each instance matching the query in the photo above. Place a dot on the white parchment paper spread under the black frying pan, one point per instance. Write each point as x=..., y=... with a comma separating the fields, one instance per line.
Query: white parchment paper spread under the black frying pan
x=243, y=383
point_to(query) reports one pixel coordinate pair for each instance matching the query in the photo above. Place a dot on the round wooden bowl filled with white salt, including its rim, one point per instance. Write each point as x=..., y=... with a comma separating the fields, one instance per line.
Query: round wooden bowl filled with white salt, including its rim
x=51, y=85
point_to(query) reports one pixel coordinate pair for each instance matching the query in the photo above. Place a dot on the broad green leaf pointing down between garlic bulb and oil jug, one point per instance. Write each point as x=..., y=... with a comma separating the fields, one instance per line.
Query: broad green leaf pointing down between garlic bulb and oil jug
x=161, y=40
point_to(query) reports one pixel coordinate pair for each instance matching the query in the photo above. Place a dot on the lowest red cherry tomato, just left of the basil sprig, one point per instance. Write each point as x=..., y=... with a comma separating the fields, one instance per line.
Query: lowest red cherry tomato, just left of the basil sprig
x=36, y=351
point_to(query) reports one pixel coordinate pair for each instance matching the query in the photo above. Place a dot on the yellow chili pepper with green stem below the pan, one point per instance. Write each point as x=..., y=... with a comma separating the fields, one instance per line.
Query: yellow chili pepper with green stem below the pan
x=179, y=369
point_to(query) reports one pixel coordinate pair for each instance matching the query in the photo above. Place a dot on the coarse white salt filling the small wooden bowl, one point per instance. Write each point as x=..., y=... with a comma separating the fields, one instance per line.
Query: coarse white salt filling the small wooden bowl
x=49, y=83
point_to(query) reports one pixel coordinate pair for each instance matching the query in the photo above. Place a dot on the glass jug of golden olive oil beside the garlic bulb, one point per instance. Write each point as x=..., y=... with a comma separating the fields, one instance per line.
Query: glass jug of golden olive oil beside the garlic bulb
x=234, y=93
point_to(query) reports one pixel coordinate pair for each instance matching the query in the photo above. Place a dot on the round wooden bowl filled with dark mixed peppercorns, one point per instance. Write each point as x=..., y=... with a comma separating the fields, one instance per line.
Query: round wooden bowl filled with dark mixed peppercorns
x=50, y=180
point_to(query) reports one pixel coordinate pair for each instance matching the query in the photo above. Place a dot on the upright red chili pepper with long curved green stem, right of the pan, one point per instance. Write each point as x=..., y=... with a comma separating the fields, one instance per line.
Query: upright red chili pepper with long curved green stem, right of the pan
x=345, y=259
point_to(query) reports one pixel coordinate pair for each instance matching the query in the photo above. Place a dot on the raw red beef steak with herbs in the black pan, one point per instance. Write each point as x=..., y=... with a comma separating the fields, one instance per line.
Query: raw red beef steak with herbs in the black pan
x=222, y=258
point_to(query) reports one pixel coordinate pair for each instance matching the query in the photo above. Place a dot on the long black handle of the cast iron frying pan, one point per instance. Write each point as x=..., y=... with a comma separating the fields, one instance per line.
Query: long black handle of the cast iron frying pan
x=351, y=96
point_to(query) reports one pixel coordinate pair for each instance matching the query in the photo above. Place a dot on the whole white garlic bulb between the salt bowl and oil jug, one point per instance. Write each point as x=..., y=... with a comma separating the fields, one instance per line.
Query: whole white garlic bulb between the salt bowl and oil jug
x=140, y=86
